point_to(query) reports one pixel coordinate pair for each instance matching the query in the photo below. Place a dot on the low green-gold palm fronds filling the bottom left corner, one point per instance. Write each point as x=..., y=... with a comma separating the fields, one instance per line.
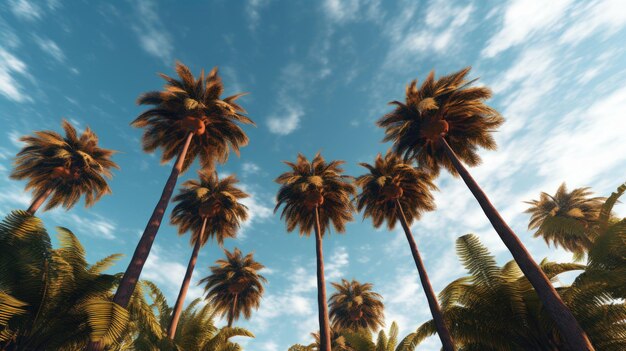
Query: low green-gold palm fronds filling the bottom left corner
x=52, y=298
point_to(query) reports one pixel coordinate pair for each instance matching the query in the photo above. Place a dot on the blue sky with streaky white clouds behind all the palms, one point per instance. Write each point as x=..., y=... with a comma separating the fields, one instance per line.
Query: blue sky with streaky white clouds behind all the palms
x=320, y=74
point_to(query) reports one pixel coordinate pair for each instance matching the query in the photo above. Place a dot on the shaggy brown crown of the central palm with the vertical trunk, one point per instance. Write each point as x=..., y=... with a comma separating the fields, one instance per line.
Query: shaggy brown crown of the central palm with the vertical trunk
x=314, y=184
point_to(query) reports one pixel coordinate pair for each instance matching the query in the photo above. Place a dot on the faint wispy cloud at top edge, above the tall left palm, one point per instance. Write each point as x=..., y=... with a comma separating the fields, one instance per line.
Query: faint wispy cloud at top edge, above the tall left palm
x=153, y=37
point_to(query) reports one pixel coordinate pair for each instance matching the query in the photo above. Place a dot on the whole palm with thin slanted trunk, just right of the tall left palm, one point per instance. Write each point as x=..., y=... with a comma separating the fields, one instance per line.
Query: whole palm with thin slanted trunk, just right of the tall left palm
x=210, y=208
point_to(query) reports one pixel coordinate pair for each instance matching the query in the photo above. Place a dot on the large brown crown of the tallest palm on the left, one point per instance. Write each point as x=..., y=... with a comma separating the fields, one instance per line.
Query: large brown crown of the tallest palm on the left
x=193, y=105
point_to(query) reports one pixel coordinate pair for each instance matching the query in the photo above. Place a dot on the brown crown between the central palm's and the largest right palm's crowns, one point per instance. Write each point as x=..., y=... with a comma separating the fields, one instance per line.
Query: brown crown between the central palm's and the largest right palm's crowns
x=390, y=179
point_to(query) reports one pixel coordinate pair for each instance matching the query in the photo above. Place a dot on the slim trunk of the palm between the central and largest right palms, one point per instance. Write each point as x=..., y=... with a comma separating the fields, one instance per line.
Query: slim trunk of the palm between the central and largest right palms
x=435, y=310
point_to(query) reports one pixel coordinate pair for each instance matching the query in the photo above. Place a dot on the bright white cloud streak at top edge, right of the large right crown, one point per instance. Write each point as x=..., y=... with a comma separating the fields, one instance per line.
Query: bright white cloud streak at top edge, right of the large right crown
x=522, y=19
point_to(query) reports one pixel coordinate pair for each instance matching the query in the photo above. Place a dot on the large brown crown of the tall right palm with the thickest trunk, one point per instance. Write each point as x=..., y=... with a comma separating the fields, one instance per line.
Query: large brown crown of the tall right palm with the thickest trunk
x=448, y=107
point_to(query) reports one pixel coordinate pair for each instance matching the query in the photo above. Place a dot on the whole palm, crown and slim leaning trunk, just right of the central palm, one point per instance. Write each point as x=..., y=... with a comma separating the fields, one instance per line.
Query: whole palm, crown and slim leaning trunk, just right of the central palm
x=394, y=191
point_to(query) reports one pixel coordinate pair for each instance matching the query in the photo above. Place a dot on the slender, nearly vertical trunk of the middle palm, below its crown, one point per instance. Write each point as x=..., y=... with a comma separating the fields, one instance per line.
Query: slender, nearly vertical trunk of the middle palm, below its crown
x=321, y=288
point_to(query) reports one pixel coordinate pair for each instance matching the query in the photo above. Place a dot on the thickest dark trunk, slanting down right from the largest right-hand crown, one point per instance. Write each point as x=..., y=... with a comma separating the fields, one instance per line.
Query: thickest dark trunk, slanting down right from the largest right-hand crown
x=574, y=336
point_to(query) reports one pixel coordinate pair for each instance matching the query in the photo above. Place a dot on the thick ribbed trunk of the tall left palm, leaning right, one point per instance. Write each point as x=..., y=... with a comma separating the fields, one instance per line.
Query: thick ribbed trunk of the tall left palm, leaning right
x=131, y=276
